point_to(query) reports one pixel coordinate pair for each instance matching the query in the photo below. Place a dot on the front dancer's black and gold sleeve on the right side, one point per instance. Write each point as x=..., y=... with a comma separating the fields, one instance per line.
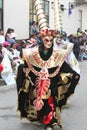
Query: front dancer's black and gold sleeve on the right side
x=68, y=89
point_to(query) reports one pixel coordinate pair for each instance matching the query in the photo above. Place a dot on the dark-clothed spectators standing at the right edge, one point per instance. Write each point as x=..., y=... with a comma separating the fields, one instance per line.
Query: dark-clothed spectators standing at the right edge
x=80, y=44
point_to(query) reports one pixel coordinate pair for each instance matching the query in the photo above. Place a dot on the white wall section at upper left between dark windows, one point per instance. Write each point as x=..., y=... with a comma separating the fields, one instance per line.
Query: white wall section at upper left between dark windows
x=16, y=15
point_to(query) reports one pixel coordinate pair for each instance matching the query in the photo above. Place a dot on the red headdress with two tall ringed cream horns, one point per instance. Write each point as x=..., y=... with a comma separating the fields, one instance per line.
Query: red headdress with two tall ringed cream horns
x=43, y=22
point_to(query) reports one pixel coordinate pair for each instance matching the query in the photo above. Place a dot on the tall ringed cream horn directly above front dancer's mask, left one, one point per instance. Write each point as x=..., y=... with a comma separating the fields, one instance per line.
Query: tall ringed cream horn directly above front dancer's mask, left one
x=41, y=17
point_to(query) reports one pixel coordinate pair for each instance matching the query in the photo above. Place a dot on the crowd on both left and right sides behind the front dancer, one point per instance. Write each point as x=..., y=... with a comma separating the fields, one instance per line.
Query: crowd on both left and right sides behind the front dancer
x=13, y=48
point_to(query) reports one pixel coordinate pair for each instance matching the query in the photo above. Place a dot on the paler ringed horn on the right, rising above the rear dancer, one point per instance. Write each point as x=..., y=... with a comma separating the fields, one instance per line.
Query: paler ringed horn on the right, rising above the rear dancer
x=57, y=16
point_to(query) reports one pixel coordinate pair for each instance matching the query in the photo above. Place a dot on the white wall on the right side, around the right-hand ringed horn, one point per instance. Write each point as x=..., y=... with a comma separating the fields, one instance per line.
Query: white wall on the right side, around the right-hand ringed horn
x=70, y=22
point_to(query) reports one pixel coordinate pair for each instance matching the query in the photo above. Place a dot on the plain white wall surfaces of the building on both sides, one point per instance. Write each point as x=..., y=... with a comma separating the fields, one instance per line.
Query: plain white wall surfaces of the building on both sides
x=16, y=15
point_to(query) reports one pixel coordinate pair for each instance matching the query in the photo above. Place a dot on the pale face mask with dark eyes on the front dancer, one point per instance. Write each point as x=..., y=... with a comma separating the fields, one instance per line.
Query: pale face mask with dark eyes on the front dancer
x=48, y=41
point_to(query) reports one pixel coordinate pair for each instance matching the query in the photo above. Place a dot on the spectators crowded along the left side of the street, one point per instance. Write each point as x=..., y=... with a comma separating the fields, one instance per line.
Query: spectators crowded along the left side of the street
x=12, y=48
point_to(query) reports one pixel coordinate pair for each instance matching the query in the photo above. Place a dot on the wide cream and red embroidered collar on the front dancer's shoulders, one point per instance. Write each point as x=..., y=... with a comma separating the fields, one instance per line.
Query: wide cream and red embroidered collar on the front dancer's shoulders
x=36, y=60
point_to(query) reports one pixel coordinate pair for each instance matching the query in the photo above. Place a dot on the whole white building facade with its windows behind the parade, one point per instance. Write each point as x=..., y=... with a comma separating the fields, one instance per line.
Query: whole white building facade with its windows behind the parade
x=19, y=14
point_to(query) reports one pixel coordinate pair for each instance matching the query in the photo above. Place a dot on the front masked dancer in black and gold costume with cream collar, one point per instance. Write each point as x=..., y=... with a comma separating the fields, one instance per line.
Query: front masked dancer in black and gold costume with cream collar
x=45, y=81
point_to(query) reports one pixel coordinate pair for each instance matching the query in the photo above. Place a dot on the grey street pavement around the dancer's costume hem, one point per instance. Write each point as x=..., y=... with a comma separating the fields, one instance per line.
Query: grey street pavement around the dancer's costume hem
x=74, y=117
